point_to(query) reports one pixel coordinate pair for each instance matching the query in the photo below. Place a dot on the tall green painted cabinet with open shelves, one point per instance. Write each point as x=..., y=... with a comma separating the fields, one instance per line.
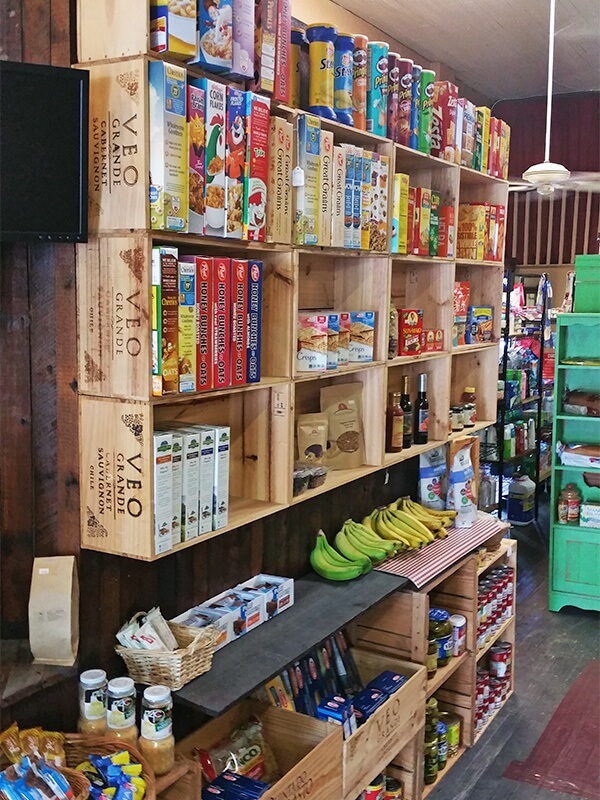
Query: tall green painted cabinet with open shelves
x=575, y=550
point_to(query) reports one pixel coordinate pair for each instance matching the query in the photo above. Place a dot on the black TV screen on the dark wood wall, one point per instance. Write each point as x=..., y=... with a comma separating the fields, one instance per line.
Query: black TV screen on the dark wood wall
x=43, y=152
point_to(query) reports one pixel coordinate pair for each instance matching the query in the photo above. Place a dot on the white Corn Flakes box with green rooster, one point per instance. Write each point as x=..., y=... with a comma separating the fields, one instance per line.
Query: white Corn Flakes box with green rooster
x=215, y=221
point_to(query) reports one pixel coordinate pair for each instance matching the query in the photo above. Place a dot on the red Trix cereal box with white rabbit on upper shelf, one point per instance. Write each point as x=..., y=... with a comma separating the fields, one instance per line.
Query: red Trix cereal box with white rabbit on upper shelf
x=257, y=167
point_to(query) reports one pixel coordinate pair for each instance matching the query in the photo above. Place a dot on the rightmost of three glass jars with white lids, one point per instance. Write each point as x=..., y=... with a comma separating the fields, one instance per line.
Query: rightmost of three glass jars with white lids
x=157, y=743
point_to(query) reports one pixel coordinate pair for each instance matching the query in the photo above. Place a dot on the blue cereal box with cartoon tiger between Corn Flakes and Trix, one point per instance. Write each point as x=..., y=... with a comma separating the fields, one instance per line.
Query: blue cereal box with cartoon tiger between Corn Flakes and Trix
x=235, y=161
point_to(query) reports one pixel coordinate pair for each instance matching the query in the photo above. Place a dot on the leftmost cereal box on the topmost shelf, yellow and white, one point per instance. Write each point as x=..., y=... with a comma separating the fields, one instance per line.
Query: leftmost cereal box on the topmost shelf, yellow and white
x=173, y=28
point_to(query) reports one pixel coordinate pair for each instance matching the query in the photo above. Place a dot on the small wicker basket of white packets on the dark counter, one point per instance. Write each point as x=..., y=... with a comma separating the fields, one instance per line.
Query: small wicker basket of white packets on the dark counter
x=178, y=667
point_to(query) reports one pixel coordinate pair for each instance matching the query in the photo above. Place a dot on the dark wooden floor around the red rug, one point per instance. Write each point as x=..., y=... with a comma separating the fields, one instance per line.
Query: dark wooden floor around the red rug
x=552, y=649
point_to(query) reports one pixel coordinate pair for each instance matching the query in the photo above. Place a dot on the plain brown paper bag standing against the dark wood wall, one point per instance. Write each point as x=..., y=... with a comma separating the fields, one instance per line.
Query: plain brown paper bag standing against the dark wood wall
x=54, y=611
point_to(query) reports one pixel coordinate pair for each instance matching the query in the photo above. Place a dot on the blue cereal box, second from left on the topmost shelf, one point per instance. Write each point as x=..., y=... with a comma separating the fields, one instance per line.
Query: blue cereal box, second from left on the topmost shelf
x=215, y=35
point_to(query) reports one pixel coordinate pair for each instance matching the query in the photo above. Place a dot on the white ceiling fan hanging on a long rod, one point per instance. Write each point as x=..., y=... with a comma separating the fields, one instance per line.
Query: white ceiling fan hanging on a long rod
x=544, y=178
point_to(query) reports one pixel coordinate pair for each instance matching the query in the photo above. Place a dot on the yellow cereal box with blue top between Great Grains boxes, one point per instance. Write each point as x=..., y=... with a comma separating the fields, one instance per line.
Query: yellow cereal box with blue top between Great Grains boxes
x=308, y=196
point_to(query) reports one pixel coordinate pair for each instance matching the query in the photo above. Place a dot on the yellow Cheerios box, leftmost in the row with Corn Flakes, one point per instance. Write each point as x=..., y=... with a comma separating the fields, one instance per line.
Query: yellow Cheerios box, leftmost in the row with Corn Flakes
x=169, y=182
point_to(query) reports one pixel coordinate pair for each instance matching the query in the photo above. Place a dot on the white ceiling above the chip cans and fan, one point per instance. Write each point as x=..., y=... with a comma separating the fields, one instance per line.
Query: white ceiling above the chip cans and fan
x=498, y=47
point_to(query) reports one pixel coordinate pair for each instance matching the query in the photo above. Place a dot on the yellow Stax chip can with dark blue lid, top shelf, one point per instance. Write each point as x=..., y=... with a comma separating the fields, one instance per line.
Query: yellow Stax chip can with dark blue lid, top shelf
x=321, y=56
